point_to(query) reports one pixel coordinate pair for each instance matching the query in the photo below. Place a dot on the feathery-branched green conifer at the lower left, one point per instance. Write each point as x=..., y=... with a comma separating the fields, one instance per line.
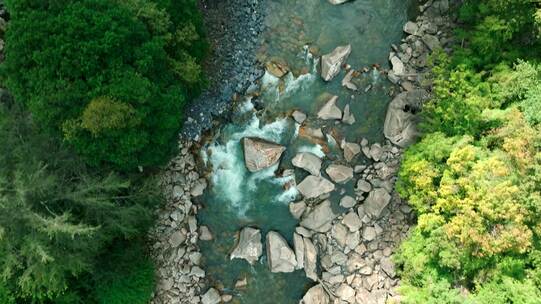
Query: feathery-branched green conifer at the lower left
x=57, y=217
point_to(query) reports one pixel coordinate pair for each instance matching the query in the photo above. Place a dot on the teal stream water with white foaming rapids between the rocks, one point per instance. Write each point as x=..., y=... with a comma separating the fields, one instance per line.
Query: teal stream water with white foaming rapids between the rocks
x=238, y=198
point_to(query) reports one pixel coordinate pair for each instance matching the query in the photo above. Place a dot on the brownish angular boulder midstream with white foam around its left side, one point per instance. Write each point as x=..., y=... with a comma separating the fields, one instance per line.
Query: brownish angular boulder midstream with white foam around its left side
x=260, y=154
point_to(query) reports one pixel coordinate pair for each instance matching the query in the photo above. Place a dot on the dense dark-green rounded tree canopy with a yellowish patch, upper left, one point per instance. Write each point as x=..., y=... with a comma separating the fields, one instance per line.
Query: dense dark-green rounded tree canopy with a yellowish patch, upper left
x=71, y=62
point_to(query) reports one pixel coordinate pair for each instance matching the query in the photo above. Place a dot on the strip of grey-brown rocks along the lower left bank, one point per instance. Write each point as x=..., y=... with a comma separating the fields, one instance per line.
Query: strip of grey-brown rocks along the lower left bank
x=180, y=276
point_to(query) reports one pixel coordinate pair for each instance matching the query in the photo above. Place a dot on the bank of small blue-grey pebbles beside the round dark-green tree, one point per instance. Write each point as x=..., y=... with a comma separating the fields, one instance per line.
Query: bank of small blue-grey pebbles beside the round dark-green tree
x=233, y=28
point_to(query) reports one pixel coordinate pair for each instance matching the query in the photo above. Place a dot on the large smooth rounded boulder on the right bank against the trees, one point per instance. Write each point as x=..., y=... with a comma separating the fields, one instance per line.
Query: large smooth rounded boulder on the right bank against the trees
x=400, y=122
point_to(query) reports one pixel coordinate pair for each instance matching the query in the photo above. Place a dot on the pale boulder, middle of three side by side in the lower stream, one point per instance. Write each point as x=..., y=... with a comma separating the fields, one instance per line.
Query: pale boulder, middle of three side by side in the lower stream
x=280, y=256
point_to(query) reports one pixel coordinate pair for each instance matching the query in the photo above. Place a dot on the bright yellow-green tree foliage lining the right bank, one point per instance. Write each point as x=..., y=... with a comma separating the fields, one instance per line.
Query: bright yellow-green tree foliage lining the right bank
x=475, y=177
